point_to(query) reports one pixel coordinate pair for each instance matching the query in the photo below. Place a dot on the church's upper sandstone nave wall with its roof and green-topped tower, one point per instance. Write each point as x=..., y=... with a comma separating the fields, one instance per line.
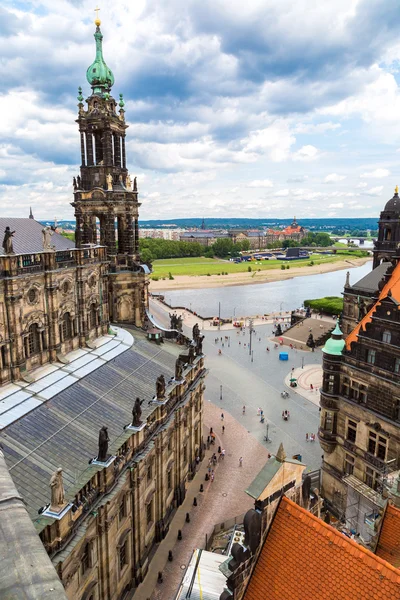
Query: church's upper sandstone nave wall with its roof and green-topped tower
x=56, y=295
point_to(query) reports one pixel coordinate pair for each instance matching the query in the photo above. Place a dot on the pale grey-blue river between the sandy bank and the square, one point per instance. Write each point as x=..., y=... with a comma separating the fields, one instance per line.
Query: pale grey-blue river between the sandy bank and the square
x=264, y=298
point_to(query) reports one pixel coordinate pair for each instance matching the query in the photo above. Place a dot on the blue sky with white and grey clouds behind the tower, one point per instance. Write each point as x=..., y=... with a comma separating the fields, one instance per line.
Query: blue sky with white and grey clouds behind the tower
x=255, y=109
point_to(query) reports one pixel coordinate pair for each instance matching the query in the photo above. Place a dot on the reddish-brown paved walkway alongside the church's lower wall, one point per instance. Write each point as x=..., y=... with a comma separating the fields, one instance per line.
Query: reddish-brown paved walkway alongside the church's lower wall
x=221, y=500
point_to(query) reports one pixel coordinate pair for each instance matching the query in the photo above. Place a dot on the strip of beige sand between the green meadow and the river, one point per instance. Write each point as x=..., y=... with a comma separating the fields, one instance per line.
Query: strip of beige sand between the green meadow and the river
x=183, y=282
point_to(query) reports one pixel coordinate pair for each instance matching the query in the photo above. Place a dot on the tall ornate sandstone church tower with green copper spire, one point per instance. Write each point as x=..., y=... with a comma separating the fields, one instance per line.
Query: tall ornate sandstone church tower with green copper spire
x=105, y=197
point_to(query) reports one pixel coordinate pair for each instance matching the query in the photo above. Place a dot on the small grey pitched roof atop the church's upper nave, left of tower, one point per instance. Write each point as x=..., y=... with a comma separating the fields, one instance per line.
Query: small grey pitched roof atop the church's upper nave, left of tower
x=28, y=236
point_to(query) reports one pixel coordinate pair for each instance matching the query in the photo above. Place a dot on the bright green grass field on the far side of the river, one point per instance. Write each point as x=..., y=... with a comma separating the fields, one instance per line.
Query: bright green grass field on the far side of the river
x=212, y=266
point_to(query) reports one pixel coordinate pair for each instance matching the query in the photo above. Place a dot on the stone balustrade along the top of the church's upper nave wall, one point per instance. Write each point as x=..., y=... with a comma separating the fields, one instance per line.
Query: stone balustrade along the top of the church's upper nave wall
x=19, y=264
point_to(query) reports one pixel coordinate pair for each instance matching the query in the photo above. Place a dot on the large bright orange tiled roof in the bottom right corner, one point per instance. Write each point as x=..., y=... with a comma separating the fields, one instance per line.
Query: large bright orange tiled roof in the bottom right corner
x=303, y=557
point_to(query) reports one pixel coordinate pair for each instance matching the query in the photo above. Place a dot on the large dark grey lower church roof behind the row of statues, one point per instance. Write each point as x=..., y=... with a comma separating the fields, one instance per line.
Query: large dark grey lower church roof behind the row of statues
x=106, y=396
